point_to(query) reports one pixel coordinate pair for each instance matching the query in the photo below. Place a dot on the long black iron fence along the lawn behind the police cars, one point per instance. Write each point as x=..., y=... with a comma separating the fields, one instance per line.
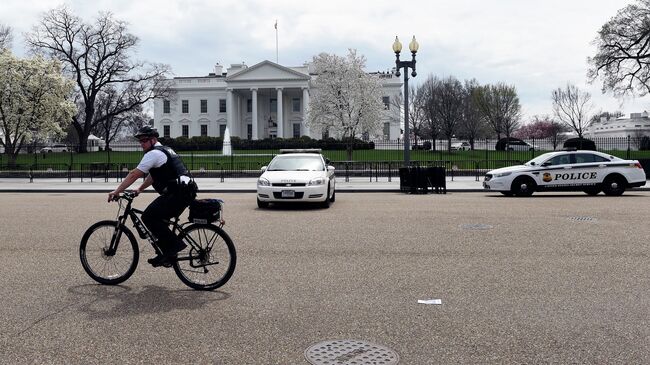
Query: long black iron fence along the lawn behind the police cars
x=381, y=161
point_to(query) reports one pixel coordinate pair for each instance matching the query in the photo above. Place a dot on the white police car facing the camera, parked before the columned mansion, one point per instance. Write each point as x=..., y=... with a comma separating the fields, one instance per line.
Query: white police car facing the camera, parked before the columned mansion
x=297, y=176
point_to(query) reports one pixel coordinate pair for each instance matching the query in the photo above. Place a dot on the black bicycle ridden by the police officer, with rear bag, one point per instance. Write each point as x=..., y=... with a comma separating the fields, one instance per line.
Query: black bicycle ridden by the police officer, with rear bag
x=206, y=263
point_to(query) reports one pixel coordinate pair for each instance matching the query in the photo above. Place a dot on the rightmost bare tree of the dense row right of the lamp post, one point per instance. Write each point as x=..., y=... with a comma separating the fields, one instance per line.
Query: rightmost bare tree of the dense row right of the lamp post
x=499, y=105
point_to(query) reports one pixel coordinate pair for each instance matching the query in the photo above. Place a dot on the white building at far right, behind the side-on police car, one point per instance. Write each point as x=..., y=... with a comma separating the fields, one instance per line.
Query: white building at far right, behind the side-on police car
x=636, y=126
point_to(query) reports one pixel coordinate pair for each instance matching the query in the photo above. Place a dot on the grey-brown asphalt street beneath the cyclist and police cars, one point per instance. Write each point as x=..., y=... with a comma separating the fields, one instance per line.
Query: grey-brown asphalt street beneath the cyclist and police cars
x=555, y=278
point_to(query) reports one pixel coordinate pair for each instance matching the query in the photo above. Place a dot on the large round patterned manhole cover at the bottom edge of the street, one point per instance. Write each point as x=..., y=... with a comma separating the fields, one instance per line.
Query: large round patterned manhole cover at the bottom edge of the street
x=349, y=352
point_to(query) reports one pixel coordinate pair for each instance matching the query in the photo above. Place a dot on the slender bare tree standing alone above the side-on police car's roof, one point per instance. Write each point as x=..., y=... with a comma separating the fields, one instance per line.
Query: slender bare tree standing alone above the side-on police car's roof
x=572, y=107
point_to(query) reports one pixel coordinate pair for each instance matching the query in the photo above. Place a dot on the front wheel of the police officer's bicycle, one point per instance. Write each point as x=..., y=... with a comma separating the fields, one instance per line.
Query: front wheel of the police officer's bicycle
x=100, y=263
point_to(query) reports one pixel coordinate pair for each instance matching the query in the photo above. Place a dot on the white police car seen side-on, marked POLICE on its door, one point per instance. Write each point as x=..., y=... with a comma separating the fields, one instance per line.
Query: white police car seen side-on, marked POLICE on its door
x=588, y=171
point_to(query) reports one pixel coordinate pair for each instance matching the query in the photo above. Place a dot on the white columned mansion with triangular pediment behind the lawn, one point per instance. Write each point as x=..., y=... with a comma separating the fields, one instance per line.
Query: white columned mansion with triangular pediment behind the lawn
x=266, y=100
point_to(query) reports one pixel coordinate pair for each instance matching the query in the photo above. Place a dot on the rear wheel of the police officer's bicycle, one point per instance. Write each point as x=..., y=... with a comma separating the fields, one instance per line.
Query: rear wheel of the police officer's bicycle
x=209, y=259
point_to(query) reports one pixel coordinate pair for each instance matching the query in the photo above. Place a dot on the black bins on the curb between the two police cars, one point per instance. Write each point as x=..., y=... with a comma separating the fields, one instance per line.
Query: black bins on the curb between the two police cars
x=418, y=180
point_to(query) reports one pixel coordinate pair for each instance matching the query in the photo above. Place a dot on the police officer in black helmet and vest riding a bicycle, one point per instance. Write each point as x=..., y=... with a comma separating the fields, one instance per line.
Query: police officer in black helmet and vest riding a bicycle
x=171, y=179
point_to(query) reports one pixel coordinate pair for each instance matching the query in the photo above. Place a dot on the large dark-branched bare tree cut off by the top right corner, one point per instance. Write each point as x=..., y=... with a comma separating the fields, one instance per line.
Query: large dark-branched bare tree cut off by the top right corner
x=622, y=58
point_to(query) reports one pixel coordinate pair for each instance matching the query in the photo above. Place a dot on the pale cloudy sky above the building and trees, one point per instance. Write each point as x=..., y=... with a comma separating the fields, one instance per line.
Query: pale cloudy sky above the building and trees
x=534, y=45
